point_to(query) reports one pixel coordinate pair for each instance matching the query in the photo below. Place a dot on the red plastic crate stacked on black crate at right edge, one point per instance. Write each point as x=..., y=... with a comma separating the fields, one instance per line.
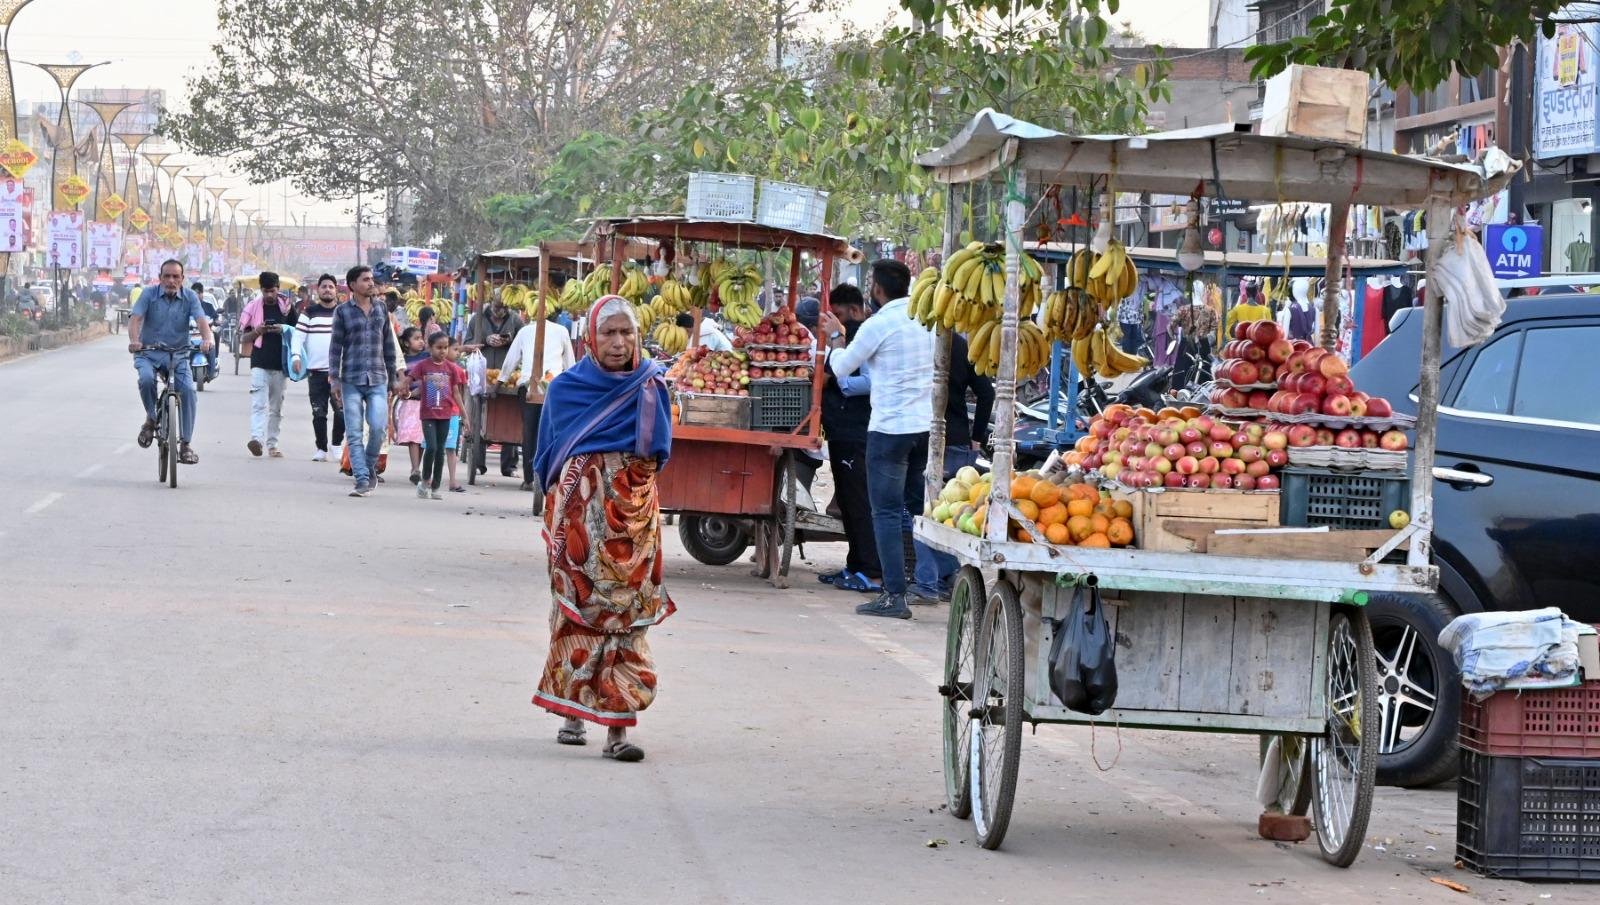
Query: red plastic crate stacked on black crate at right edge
x=1554, y=724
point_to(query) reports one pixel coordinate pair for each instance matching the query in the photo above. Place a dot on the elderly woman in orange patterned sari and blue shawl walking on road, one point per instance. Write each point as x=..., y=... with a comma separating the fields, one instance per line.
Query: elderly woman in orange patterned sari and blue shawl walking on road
x=606, y=434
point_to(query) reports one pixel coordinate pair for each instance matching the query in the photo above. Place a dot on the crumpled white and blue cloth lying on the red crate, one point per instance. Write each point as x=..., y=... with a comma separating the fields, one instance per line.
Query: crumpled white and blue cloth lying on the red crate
x=1498, y=648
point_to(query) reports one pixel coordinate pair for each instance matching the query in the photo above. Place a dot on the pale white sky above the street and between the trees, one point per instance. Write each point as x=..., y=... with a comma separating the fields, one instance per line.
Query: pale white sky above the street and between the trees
x=159, y=44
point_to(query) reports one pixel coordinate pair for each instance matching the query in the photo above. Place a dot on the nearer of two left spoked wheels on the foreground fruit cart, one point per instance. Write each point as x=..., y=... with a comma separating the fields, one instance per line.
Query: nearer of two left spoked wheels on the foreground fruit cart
x=998, y=714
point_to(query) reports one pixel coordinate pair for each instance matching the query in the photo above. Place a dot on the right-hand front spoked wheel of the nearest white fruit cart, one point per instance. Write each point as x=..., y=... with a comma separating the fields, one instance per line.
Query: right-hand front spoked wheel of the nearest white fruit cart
x=1345, y=757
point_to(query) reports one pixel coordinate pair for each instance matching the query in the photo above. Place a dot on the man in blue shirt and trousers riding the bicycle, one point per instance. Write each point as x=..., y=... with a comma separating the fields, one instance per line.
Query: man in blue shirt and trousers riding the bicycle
x=161, y=321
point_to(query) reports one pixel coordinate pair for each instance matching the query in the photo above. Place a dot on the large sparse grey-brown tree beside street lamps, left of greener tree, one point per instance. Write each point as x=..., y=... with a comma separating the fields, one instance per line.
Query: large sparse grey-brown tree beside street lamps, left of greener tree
x=447, y=102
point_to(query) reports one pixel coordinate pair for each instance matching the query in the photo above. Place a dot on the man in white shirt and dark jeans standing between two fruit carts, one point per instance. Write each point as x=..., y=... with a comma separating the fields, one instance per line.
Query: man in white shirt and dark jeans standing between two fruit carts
x=900, y=354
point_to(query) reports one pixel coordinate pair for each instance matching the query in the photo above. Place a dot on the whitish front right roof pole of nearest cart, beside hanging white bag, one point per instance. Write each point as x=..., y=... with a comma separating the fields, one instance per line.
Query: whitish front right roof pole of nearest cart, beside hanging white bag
x=1442, y=226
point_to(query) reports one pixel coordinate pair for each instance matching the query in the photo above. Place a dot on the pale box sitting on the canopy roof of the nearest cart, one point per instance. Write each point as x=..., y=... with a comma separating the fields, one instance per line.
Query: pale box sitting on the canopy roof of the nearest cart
x=1318, y=103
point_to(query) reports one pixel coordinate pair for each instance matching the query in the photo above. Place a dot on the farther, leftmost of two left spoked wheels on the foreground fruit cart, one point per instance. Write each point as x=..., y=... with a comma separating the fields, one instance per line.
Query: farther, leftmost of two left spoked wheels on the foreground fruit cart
x=967, y=604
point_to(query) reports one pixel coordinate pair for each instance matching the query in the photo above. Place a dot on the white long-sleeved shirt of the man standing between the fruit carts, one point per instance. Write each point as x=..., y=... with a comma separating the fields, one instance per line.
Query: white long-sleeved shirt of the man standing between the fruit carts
x=900, y=354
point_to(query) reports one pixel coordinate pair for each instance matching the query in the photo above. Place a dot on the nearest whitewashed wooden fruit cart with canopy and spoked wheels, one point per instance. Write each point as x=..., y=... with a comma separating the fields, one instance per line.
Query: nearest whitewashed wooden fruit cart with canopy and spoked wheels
x=1233, y=644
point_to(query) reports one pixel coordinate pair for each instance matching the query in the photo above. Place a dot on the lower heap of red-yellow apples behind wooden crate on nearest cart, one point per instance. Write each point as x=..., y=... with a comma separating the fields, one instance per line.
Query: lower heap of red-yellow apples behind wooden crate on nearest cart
x=1182, y=449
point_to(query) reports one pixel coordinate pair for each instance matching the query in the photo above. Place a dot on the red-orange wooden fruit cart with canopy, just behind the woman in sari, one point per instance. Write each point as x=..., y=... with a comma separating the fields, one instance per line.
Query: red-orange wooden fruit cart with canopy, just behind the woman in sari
x=726, y=479
